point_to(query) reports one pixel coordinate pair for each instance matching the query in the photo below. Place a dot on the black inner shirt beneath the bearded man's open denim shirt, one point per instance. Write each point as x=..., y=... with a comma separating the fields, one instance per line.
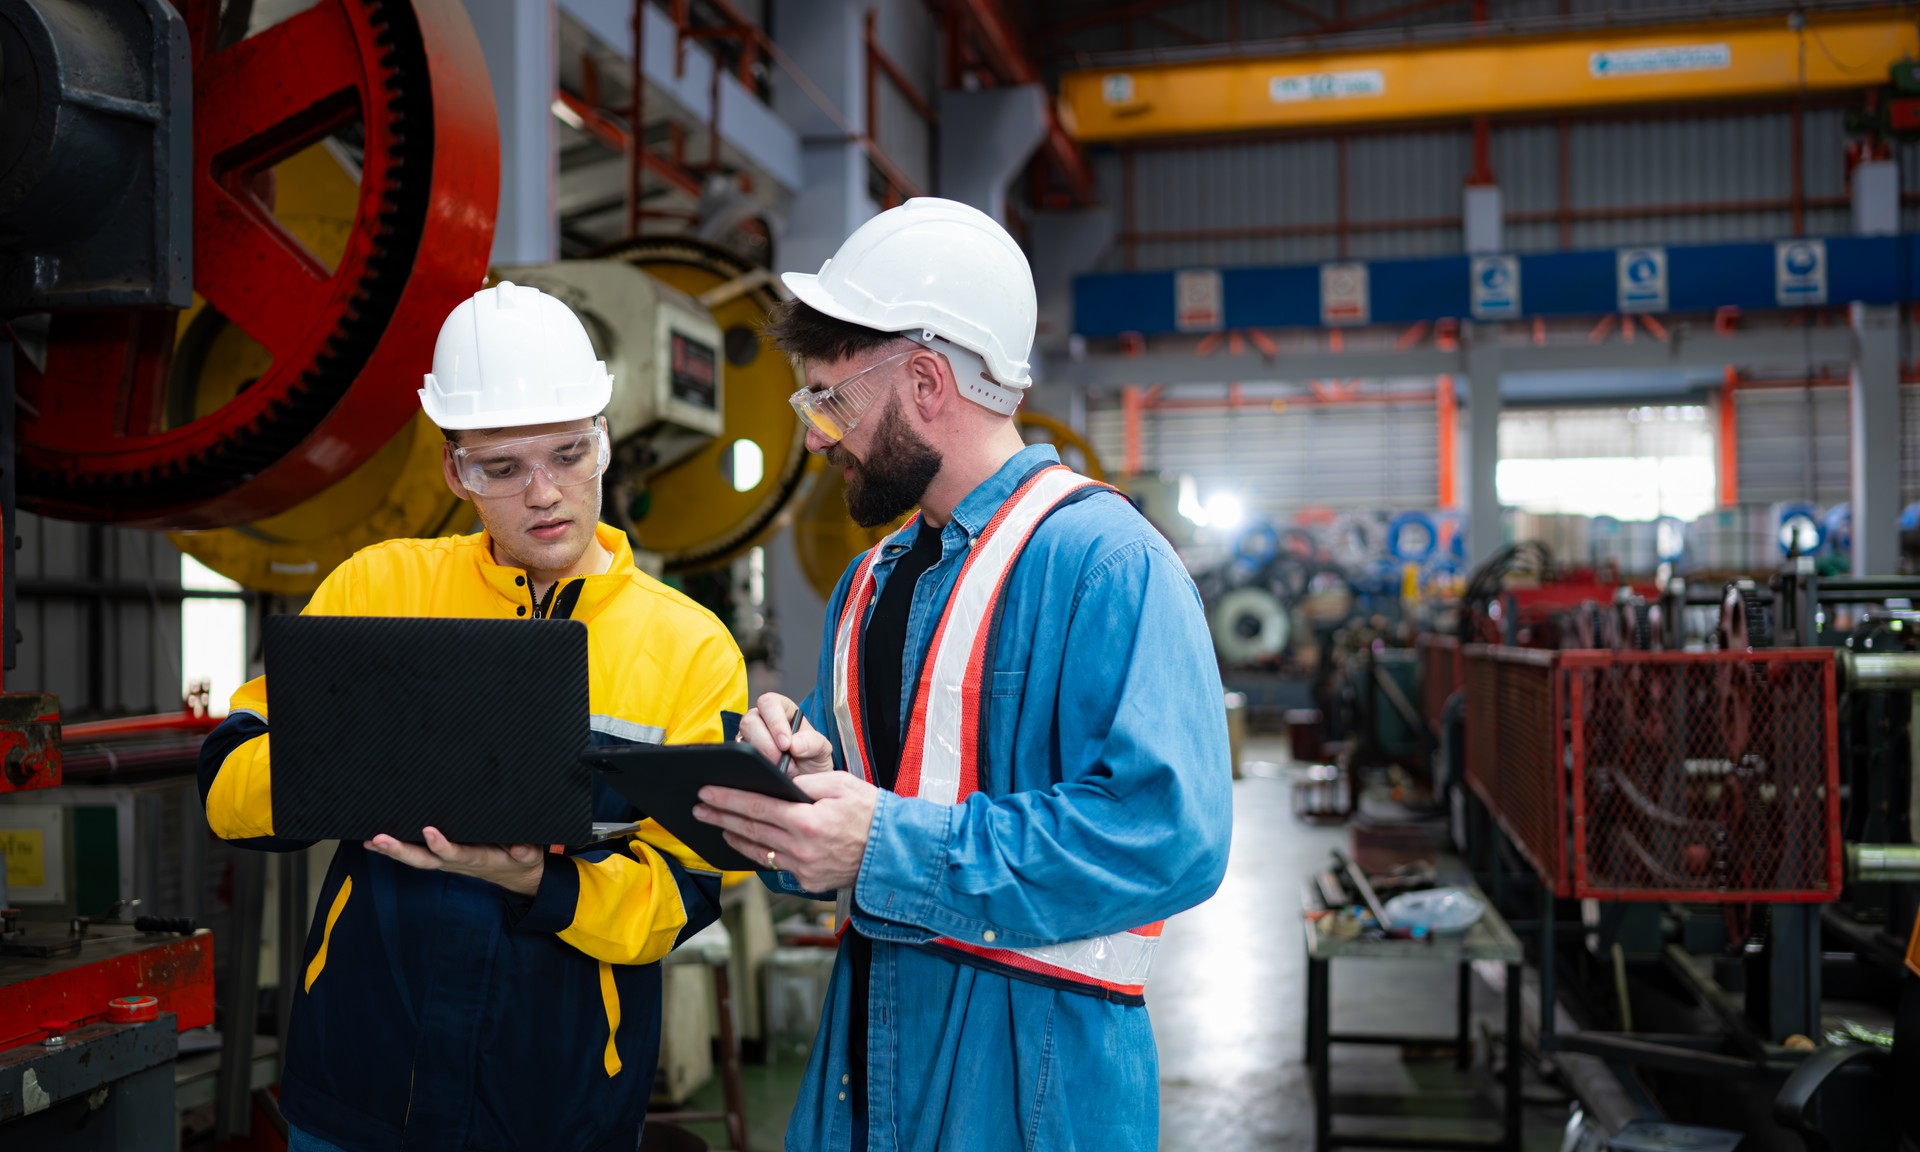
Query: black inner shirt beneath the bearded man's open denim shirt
x=882, y=675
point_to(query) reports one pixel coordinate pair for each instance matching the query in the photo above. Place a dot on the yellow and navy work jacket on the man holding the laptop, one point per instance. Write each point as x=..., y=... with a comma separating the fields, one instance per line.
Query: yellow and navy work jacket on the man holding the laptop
x=441, y=1011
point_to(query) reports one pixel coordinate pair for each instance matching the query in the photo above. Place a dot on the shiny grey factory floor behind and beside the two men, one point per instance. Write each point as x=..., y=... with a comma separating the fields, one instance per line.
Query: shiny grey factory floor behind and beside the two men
x=1230, y=1015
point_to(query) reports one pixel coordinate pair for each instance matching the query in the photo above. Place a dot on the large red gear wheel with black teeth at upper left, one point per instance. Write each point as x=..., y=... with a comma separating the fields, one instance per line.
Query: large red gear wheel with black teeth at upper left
x=99, y=435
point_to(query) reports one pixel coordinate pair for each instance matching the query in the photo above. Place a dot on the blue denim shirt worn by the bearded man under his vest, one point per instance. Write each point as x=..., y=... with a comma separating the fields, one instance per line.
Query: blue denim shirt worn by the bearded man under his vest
x=1105, y=805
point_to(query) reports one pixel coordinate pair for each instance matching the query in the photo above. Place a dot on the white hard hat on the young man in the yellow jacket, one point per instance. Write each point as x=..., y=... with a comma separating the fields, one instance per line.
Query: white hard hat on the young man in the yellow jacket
x=514, y=356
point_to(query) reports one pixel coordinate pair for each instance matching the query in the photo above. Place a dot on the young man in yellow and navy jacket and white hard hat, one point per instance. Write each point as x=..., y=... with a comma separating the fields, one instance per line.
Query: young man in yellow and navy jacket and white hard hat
x=479, y=996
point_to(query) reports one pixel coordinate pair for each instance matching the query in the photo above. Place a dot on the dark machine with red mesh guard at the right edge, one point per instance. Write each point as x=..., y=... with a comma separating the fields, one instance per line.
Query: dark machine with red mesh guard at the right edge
x=1700, y=802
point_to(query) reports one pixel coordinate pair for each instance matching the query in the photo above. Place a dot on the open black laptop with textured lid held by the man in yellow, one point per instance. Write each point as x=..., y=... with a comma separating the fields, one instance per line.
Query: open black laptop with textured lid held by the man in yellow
x=402, y=723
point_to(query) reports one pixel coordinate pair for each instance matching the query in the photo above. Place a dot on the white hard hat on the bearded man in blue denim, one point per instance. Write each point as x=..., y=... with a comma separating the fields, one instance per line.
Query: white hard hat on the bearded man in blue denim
x=936, y=270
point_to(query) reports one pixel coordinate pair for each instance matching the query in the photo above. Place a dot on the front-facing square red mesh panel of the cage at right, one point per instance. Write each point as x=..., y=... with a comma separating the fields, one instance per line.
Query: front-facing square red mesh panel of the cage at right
x=1704, y=777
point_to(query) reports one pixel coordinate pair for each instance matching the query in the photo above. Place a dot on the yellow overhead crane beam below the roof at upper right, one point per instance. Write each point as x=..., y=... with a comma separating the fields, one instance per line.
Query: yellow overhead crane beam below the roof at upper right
x=1721, y=60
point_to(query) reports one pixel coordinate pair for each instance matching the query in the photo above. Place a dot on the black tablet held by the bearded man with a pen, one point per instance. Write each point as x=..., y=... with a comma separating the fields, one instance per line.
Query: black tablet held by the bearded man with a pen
x=665, y=782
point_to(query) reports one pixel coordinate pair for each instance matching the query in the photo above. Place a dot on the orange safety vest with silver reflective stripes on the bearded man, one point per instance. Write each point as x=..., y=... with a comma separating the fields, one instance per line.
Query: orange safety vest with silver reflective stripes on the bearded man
x=940, y=759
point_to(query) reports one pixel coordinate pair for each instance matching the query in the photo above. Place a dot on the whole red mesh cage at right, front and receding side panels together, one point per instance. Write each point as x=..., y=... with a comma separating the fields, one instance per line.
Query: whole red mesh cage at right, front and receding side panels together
x=1662, y=777
